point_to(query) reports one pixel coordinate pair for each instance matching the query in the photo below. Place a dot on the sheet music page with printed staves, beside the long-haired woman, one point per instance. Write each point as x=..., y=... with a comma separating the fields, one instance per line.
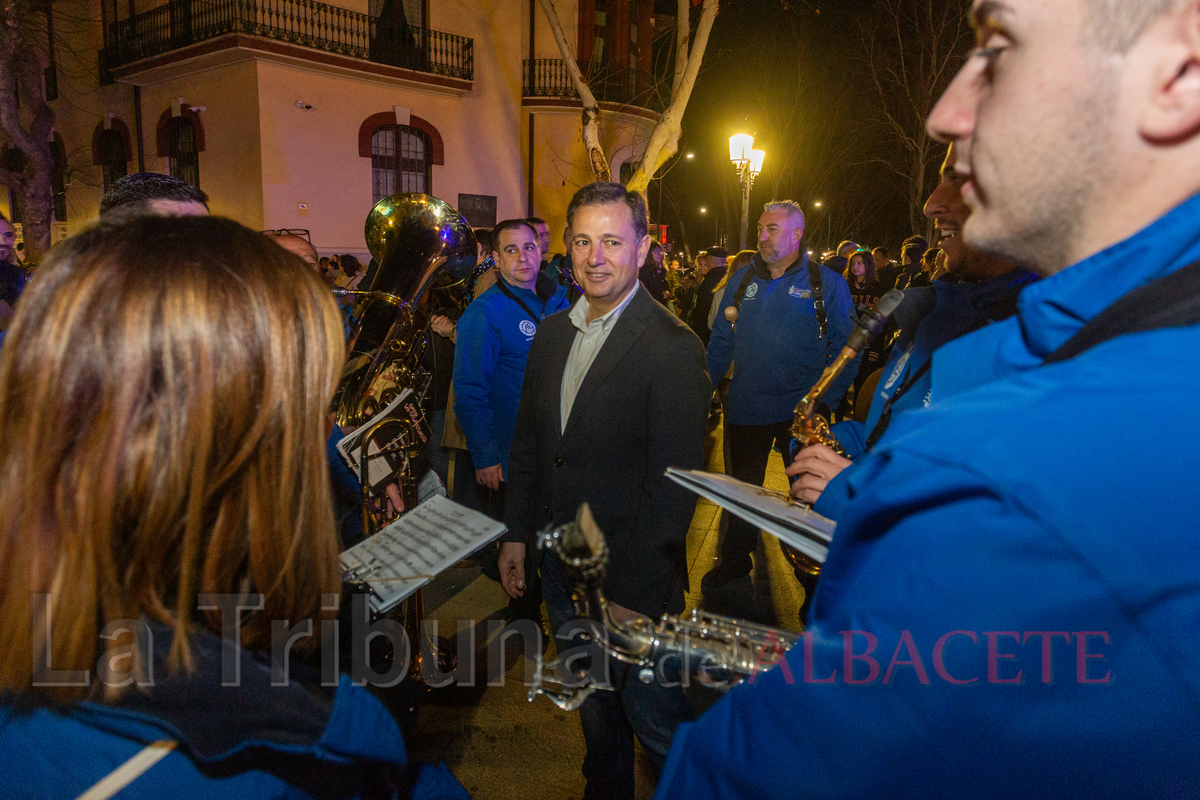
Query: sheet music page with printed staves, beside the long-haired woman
x=416, y=549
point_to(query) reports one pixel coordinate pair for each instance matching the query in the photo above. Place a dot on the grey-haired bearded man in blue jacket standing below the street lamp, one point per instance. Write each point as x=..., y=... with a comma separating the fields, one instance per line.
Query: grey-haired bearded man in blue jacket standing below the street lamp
x=794, y=317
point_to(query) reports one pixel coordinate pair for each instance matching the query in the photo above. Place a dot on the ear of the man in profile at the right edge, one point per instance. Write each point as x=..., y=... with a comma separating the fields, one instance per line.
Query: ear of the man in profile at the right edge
x=1174, y=43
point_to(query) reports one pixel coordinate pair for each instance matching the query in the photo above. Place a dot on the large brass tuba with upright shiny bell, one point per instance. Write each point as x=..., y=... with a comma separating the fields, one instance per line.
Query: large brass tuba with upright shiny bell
x=418, y=242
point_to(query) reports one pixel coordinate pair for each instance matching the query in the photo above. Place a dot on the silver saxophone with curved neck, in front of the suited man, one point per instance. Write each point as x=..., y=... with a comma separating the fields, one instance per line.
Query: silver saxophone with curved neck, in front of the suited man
x=721, y=649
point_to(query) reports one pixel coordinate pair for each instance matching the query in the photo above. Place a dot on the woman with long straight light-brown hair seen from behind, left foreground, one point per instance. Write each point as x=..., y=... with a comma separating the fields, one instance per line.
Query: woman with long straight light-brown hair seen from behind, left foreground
x=169, y=527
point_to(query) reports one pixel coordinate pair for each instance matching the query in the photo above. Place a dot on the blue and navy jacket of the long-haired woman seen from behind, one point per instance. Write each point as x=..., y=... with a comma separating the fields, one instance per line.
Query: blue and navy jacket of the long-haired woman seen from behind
x=249, y=741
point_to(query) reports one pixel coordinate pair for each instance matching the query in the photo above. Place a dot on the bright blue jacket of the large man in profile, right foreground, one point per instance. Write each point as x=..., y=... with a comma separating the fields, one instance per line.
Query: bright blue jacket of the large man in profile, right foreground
x=1015, y=584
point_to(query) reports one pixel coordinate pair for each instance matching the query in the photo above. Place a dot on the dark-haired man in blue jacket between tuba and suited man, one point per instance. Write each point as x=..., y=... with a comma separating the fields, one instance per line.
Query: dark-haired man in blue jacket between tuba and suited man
x=493, y=345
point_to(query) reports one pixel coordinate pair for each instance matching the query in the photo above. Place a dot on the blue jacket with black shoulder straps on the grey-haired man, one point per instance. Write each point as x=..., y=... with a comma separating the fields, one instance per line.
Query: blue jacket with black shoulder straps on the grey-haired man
x=778, y=353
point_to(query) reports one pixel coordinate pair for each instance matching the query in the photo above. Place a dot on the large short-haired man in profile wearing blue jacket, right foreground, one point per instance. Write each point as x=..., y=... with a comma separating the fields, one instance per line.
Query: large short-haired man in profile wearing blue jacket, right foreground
x=1011, y=601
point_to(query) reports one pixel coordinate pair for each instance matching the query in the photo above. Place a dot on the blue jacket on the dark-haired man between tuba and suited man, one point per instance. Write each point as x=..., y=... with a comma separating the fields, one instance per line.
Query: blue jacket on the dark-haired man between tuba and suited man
x=491, y=348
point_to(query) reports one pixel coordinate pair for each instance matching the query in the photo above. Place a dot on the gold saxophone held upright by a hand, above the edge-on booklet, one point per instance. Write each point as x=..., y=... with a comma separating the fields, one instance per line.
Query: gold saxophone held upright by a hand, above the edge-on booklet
x=812, y=429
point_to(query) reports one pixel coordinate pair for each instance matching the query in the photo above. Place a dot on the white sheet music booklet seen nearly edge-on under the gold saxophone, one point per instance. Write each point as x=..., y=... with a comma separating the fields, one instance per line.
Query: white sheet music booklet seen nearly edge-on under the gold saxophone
x=772, y=512
